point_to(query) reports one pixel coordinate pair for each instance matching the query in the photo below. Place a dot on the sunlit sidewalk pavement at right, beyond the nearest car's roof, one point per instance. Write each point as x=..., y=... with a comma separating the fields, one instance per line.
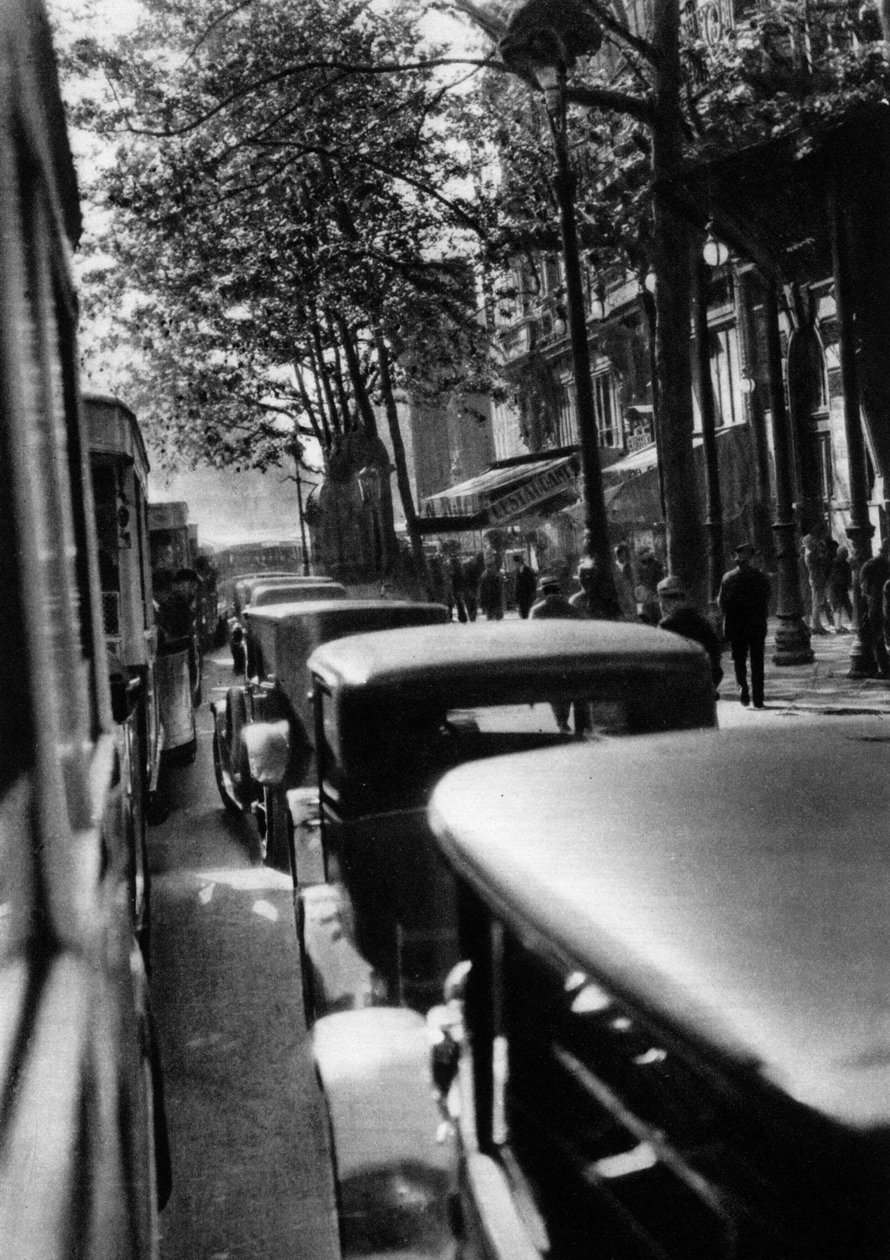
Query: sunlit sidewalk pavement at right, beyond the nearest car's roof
x=821, y=687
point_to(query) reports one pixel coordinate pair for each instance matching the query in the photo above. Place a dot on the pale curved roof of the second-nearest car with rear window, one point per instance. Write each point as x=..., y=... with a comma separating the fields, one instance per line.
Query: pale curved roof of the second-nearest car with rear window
x=429, y=653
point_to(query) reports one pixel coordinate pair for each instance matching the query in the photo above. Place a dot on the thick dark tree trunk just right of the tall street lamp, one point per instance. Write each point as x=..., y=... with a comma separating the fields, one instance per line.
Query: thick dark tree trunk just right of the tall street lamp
x=674, y=311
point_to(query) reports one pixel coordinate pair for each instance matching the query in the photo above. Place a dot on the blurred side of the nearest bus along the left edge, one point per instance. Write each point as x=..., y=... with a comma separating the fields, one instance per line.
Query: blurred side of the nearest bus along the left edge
x=83, y=1164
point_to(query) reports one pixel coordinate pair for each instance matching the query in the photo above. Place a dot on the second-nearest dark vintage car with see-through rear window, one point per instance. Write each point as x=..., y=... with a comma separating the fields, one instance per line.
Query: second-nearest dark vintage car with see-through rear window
x=396, y=711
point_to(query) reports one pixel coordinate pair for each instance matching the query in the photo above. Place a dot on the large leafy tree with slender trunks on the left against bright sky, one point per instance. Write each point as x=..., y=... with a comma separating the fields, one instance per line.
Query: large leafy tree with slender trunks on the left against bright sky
x=282, y=226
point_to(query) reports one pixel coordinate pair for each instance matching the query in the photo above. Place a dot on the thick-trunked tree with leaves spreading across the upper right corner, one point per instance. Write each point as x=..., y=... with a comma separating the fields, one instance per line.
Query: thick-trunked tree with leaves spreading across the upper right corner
x=678, y=99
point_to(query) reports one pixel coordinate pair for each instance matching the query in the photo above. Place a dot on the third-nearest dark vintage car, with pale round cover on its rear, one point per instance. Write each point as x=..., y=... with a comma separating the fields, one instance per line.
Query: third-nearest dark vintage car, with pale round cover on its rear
x=263, y=730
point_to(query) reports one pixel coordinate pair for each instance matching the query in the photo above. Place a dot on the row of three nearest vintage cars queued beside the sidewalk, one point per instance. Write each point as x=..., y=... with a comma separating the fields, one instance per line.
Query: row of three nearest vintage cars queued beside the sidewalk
x=572, y=995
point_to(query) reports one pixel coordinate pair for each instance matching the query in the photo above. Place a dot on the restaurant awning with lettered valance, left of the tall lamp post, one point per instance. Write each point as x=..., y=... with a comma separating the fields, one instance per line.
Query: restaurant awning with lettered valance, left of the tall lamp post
x=501, y=495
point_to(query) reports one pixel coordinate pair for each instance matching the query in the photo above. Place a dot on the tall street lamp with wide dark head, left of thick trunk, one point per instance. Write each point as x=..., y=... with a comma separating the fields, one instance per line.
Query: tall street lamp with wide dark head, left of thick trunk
x=543, y=52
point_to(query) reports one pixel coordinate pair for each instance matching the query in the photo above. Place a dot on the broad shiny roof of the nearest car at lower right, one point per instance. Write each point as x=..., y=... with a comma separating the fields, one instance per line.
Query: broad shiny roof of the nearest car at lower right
x=737, y=884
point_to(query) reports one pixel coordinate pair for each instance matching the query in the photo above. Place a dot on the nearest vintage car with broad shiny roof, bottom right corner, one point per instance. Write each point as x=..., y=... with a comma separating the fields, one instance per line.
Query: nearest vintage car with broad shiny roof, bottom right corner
x=673, y=1007
